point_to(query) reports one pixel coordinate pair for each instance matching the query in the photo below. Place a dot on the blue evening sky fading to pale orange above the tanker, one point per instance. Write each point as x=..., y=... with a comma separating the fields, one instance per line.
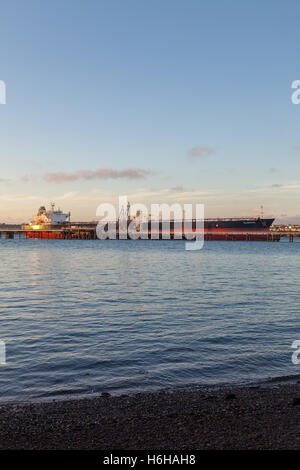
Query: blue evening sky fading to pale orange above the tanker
x=164, y=101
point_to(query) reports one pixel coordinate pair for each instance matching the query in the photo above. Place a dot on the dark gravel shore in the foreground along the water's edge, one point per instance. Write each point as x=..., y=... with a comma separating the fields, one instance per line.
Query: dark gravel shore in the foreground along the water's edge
x=228, y=418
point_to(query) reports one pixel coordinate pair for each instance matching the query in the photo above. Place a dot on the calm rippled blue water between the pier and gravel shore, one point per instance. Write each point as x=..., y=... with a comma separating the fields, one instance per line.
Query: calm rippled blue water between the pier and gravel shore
x=84, y=317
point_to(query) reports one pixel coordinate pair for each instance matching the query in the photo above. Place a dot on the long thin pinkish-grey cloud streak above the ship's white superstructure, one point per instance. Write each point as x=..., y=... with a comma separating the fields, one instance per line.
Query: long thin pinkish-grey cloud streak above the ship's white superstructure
x=100, y=173
